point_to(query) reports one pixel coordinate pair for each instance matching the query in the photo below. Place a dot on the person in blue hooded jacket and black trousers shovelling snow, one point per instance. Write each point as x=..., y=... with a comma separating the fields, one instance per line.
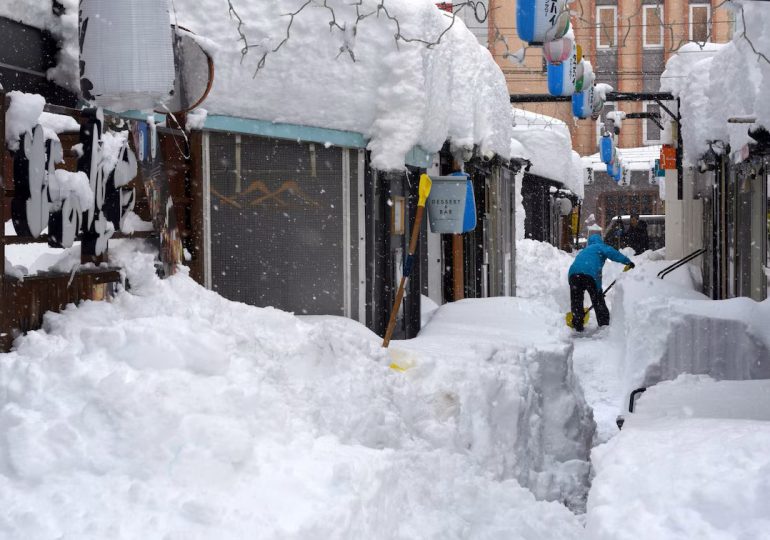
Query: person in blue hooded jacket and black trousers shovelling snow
x=585, y=274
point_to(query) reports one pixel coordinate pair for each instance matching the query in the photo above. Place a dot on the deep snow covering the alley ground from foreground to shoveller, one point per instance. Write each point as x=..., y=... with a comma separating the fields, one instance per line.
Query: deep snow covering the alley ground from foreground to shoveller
x=173, y=413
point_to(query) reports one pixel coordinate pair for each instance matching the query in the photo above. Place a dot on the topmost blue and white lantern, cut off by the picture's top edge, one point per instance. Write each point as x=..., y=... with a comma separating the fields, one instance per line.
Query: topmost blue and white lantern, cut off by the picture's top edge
x=538, y=21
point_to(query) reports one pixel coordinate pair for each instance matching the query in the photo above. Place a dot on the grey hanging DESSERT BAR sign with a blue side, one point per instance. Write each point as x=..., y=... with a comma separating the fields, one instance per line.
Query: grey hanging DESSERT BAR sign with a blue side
x=451, y=205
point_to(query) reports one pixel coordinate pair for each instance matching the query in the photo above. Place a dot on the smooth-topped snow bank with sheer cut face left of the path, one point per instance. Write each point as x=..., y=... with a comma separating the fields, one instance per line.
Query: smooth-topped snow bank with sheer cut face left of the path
x=539, y=428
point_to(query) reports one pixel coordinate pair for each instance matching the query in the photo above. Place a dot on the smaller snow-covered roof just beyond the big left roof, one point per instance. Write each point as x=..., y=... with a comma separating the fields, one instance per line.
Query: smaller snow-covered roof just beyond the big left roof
x=547, y=143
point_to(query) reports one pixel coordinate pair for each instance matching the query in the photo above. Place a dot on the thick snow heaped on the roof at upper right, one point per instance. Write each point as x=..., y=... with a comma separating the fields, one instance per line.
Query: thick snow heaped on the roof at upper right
x=718, y=82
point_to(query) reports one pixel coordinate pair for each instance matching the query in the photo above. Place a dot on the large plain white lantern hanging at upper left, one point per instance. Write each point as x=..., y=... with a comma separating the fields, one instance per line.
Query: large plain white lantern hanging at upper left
x=126, y=55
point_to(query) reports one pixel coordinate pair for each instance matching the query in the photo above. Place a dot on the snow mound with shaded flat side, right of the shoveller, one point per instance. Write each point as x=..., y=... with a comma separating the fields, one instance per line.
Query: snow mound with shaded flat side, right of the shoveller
x=671, y=329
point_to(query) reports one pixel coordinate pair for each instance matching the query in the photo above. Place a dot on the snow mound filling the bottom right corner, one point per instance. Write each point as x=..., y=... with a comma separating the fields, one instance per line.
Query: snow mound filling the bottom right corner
x=694, y=462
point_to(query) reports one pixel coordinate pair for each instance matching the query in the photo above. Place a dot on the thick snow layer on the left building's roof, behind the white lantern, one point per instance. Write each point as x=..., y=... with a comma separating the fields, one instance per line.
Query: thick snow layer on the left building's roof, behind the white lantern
x=398, y=95
